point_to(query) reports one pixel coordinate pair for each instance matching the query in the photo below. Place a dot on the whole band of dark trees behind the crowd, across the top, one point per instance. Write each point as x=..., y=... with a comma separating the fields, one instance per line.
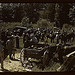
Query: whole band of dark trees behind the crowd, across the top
x=55, y=12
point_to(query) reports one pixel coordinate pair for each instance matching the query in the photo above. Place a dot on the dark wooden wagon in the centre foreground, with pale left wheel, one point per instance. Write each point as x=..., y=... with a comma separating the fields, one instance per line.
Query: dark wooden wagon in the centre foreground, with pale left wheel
x=42, y=52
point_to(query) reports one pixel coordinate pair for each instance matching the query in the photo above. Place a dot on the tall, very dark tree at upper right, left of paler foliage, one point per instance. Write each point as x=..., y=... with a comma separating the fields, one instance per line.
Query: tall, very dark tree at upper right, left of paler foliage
x=61, y=15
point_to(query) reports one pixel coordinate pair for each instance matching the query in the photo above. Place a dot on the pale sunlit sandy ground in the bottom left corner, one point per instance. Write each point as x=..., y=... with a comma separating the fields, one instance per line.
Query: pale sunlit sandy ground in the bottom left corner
x=12, y=65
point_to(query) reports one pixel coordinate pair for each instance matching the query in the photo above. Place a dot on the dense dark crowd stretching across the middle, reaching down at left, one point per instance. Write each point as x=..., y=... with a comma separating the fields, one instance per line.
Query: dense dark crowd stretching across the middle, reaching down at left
x=31, y=36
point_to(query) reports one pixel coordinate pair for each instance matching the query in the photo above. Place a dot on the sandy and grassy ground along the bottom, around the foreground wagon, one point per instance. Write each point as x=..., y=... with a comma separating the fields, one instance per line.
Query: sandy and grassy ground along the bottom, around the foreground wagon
x=16, y=66
